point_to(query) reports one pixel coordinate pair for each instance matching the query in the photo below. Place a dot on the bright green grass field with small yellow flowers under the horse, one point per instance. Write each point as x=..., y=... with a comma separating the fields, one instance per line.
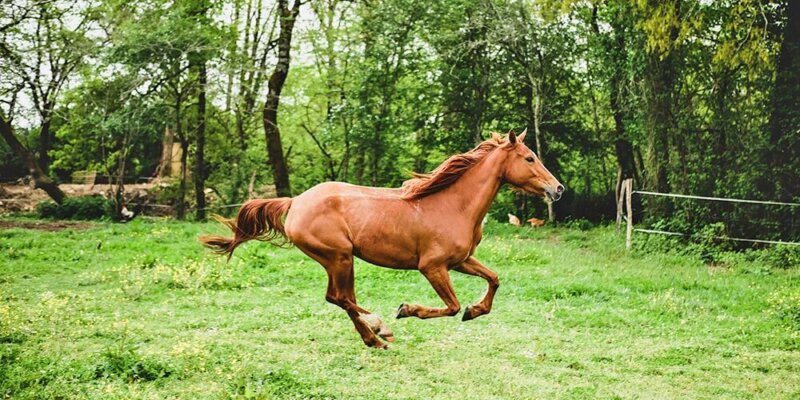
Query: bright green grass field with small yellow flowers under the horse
x=142, y=311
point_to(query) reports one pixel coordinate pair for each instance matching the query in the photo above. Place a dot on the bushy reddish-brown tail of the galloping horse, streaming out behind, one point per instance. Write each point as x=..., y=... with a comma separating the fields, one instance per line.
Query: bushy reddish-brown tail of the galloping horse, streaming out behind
x=258, y=219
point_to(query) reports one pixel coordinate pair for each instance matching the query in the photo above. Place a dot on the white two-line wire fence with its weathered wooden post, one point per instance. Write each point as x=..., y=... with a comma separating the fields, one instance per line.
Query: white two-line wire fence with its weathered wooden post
x=629, y=217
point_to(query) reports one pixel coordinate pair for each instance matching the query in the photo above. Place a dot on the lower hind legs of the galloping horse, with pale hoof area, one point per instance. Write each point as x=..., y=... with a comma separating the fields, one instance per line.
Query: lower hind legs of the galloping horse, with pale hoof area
x=341, y=292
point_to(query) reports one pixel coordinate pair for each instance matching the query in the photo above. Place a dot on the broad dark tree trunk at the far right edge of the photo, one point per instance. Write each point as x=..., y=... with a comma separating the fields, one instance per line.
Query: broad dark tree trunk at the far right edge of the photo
x=784, y=123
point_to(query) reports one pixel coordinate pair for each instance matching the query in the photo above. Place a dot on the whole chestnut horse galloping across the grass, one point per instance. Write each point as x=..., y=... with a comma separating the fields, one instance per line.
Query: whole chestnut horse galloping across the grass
x=432, y=224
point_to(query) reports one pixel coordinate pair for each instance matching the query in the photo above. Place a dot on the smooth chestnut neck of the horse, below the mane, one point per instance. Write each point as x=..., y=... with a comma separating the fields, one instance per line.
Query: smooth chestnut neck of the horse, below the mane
x=474, y=192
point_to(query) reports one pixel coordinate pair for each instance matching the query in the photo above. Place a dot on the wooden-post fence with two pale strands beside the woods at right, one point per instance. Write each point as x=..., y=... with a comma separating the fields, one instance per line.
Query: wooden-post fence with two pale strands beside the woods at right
x=625, y=199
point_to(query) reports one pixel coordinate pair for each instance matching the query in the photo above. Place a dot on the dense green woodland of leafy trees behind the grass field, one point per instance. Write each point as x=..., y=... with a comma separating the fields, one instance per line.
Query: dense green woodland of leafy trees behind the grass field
x=684, y=96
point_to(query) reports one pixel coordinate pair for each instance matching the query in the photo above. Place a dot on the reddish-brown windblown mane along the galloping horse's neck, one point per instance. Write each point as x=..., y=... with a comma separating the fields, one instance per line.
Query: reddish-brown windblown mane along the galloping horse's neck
x=448, y=172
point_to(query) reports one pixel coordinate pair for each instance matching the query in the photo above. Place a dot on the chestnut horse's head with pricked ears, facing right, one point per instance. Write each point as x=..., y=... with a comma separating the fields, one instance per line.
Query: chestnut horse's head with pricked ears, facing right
x=524, y=170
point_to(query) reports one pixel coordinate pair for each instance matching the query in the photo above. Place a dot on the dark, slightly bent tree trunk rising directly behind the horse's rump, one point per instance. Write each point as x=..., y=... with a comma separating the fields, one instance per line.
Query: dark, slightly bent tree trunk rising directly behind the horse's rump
x=280, y=171
